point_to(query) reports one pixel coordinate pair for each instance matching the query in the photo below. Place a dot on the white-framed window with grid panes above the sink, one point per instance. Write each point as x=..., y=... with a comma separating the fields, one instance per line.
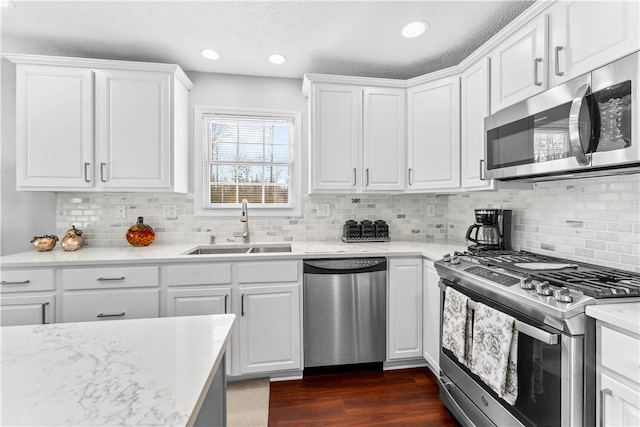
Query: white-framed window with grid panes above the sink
x=248, y=155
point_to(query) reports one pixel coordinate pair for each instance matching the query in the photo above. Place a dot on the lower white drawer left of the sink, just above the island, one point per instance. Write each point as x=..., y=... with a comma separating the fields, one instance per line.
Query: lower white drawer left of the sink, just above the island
x=107, y=305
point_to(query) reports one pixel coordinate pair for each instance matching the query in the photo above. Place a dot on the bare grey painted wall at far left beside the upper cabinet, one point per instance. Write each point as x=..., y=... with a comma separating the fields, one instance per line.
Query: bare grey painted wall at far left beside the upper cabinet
x=22, y=214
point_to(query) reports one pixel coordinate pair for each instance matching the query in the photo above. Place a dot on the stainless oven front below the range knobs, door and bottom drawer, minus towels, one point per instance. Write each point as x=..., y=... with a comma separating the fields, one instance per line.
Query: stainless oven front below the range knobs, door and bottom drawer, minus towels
x=550, y=378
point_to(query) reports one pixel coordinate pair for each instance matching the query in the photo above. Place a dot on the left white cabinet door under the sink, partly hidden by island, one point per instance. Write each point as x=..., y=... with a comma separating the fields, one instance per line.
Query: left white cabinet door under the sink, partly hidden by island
x=194, y=302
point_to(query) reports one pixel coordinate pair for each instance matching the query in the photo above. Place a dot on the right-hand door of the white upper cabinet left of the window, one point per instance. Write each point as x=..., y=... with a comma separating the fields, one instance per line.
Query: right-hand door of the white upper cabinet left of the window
x=133, y=129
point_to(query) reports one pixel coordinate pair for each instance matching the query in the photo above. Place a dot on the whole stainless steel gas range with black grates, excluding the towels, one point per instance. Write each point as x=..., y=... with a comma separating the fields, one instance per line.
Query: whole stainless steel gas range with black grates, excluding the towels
x=547, y=298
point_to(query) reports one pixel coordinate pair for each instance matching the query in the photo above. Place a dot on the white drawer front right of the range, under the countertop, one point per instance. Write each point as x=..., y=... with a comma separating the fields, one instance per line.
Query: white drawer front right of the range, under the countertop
x=627, y=362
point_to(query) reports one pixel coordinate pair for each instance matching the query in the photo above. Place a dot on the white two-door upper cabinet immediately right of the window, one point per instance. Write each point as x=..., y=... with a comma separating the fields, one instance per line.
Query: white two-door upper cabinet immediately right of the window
x=357, y=137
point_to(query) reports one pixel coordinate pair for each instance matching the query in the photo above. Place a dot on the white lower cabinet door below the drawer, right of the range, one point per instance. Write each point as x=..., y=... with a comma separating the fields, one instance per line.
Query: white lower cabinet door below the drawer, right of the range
x=619, y=403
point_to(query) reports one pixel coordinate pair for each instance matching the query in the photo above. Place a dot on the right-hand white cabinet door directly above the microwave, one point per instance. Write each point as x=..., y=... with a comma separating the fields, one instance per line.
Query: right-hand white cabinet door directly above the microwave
x=577, y=47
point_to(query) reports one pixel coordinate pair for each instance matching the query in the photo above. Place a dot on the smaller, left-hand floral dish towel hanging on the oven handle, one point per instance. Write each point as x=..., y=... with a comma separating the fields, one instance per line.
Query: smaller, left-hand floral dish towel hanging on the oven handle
x=456, y=324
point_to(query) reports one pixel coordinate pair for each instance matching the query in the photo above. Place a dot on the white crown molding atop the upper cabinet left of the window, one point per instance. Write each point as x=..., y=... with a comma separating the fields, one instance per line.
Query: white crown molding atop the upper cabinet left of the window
x=64, y=61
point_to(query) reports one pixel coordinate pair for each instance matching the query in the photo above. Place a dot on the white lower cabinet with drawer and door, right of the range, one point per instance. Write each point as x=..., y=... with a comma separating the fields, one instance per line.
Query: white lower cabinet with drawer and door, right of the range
x=617, y=377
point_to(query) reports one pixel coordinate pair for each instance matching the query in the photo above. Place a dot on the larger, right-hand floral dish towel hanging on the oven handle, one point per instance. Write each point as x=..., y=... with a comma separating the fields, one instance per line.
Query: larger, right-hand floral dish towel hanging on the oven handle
x=495, y=351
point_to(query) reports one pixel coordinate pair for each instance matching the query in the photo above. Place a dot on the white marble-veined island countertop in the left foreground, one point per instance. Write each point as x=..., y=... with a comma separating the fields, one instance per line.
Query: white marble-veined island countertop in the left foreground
x=129, y=372
